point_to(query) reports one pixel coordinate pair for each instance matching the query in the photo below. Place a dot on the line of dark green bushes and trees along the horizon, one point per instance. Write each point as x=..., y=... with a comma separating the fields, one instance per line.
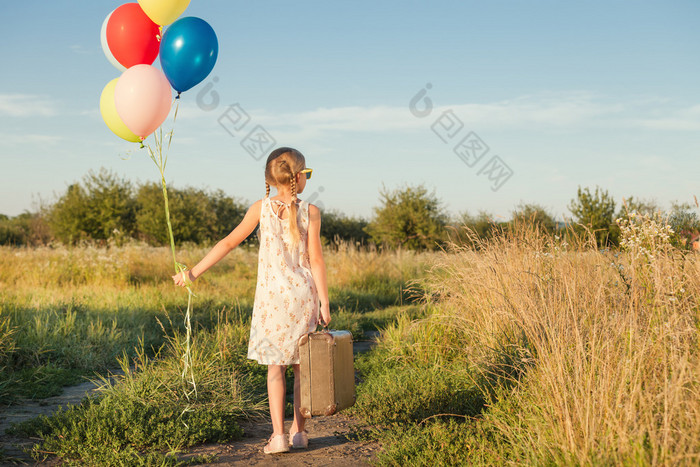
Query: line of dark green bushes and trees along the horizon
x=106, y=209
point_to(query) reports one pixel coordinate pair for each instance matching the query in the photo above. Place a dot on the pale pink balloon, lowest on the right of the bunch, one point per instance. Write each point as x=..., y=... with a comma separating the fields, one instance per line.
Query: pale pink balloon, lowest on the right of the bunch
x=143, y=98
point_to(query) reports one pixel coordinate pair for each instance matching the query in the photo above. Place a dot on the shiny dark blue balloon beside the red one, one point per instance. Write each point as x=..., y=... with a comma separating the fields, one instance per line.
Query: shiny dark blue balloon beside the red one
x=188, y=52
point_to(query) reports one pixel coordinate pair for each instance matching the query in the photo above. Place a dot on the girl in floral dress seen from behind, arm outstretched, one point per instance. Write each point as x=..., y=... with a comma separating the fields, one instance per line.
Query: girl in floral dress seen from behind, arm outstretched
x=291, y=283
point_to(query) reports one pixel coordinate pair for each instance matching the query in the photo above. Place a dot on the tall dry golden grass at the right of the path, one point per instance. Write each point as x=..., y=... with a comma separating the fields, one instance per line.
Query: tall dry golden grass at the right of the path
x=601, y=347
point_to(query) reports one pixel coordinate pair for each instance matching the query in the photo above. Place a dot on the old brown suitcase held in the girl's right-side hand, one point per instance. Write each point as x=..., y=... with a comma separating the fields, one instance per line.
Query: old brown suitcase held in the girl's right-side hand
x=327, y=372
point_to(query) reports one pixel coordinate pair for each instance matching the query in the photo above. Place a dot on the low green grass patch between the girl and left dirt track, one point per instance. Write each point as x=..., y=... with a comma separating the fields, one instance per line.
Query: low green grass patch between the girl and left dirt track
x=150, y=411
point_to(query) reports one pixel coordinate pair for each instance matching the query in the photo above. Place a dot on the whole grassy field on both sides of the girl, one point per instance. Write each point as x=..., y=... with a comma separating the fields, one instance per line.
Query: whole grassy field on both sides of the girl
x=524, y=350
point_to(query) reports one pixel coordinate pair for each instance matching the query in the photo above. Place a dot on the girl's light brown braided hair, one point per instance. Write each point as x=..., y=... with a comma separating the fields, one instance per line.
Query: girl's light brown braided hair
x=283, y=164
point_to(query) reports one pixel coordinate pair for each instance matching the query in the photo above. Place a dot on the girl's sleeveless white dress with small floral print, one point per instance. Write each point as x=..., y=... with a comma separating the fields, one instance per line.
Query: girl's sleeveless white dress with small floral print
x=286, y=300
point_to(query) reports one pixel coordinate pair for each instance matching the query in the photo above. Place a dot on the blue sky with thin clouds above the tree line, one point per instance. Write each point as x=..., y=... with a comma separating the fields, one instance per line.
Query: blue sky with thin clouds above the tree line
x=564, y=94
